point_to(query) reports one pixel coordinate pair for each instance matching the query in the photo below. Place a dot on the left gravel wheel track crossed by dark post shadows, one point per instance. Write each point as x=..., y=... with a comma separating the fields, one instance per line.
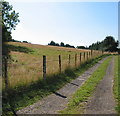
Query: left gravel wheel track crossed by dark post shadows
x=58, y=100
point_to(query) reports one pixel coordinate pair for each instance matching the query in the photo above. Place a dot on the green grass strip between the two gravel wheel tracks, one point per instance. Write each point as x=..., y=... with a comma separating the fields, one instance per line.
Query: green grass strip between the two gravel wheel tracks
x=86, y=90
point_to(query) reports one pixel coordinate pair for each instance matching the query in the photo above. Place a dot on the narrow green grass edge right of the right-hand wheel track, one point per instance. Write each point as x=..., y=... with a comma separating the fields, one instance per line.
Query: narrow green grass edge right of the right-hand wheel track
x=116, y=88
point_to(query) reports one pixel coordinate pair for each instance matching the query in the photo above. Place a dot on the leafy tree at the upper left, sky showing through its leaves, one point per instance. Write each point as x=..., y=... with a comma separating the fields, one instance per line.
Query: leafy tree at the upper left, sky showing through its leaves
x=9, y=22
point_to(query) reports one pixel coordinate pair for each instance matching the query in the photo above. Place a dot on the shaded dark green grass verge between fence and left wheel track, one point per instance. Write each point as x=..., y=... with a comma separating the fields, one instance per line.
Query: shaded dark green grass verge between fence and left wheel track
x=23, y=96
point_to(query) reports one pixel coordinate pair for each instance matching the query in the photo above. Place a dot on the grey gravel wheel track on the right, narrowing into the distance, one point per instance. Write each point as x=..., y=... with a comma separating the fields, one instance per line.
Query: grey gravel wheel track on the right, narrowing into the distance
x=102, y=101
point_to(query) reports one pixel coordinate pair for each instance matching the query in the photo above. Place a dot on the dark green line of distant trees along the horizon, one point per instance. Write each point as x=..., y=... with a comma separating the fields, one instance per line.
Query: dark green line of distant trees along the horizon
x=108, y=44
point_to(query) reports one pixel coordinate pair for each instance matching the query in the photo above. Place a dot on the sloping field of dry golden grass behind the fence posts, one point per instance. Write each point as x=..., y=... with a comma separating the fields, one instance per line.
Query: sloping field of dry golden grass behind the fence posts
x=28, y=67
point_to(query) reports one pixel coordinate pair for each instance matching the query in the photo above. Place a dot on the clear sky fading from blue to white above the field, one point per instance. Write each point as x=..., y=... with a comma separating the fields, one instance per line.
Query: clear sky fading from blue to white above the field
x=74, y=23
